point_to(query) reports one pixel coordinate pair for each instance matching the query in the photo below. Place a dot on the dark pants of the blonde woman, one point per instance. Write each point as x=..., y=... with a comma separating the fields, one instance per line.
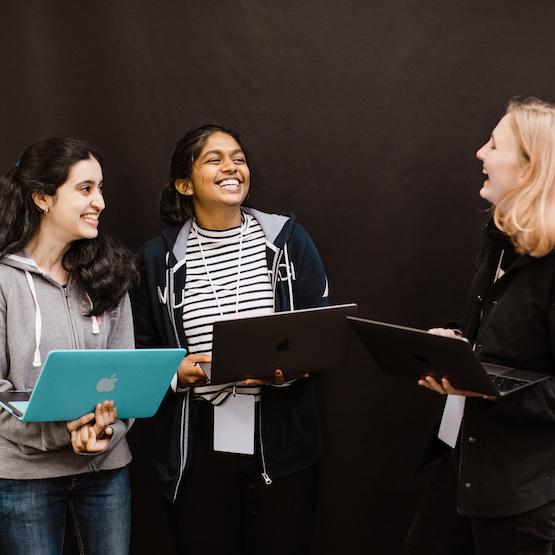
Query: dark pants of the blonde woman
x=438, y=529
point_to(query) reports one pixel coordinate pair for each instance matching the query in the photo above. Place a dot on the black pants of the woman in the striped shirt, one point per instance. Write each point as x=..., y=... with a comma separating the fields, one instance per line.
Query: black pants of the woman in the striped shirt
x=224, y=505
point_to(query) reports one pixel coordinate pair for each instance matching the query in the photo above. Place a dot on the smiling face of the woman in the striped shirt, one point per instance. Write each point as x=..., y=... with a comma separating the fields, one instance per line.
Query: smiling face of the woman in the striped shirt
x=220, y=178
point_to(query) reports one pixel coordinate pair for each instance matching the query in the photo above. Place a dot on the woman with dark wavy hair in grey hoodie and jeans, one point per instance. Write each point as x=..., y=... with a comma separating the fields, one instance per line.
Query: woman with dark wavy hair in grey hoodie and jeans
x=62, y=286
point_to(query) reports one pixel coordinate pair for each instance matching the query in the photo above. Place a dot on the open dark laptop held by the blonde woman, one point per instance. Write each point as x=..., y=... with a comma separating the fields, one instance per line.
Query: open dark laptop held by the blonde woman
x=414, y=353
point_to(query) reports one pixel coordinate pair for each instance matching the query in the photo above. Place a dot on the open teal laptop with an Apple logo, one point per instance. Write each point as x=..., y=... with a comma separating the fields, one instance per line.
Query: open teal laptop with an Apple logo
x=71, y=383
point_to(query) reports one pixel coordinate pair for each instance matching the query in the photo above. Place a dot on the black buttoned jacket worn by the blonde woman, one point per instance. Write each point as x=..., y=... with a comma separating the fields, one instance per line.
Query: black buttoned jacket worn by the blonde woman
x=507, y=447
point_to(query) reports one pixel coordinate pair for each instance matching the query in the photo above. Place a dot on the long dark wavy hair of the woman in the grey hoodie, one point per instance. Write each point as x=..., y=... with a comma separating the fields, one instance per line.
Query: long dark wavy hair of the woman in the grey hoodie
x=102, y=267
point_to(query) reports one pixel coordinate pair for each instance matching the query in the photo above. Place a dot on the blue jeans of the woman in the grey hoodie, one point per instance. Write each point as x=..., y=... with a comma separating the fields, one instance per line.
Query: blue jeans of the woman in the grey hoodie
x=33, y=514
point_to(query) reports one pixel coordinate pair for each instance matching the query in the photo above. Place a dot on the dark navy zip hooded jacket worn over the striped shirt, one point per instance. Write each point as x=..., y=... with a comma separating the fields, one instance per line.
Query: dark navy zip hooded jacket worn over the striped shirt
x=289, y=424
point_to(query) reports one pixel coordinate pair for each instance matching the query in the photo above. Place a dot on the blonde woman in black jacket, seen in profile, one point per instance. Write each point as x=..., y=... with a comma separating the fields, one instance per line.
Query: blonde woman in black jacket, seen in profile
x=496, y=488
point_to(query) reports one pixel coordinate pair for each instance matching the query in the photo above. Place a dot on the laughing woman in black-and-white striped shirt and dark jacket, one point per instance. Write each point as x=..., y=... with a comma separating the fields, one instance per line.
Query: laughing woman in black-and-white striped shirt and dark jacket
x=220, y=258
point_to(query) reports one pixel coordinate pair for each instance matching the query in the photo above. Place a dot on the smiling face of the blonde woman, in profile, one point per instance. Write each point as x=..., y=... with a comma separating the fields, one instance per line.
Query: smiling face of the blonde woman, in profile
x=503, y=163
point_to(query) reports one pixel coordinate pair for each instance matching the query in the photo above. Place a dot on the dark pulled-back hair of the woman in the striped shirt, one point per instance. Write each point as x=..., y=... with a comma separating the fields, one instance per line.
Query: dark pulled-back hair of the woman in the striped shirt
x=175, y=208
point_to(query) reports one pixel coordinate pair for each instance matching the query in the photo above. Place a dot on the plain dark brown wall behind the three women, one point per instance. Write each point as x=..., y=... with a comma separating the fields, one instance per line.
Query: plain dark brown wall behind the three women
x=362, y=117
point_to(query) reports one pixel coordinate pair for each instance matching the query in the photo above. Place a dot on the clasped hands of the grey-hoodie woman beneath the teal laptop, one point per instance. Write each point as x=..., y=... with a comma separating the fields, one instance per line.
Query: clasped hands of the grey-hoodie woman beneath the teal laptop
x=92, y=432
